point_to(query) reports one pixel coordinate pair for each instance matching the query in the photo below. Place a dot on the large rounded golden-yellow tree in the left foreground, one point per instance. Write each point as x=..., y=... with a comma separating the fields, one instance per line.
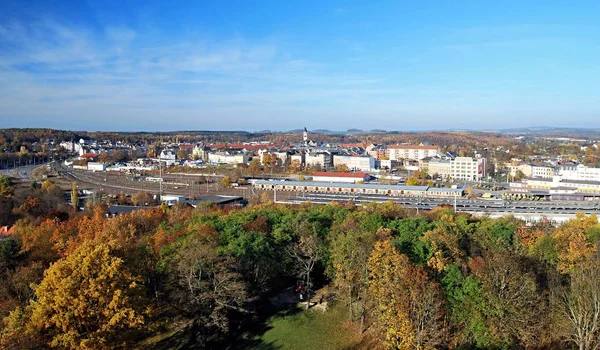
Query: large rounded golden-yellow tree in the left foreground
x=86, y=300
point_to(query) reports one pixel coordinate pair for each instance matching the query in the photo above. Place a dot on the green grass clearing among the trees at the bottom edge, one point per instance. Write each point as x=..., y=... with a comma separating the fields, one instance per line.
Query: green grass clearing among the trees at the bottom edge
x=309, y=329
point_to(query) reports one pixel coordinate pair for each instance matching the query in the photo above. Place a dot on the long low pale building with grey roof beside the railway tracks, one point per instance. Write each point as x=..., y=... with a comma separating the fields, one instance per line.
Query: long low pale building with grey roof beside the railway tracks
x=327, y=187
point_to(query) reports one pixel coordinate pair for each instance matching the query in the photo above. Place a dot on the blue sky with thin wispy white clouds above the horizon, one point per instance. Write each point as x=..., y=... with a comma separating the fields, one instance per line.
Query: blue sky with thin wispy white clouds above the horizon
x=280, y=65
